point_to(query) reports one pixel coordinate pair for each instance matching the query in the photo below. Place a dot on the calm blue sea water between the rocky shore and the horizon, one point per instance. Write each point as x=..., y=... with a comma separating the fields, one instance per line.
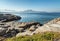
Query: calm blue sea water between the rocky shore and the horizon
x=42, y=18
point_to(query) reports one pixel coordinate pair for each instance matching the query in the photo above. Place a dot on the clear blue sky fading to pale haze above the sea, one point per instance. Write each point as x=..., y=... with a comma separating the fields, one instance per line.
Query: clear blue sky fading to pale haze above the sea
x=38, y=5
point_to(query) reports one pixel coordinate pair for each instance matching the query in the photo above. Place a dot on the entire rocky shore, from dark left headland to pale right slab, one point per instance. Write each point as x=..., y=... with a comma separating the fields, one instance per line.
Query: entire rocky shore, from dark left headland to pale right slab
x=10, y=28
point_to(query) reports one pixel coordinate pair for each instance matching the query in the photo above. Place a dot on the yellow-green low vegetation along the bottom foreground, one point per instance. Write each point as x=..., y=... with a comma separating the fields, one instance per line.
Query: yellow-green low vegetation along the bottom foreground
x=47, y=36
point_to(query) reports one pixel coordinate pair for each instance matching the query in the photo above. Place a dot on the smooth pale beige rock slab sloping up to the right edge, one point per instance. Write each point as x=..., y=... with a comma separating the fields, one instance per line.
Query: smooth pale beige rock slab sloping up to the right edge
x=53, y=26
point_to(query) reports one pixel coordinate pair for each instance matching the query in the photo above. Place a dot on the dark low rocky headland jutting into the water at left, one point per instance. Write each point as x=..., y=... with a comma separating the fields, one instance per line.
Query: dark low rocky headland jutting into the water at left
x=8, y=17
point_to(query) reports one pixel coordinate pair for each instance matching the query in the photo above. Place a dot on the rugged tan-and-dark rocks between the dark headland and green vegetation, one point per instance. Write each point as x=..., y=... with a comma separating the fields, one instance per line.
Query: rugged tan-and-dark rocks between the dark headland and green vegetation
x=10, y=29
